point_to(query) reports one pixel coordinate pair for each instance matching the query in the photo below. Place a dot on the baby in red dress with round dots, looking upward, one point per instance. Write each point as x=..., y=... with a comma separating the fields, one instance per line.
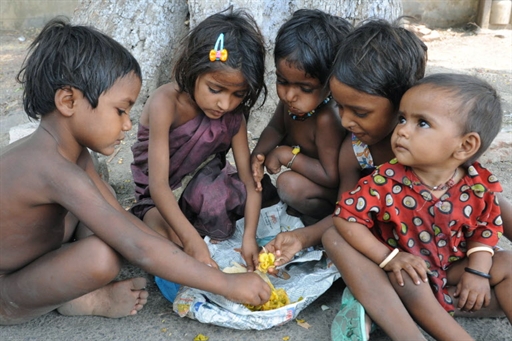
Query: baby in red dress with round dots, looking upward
x=433, y=210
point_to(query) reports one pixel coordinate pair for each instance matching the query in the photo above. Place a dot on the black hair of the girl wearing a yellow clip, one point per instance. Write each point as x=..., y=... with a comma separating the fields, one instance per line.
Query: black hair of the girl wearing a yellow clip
x=246, y=52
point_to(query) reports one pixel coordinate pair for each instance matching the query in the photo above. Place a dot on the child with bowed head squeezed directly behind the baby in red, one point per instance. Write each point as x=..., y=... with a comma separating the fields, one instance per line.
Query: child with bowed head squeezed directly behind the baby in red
x=367, y=98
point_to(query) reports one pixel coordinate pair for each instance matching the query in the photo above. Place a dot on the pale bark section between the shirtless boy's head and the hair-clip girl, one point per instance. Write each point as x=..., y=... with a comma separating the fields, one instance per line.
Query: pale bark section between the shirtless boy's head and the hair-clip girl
x=149, y=29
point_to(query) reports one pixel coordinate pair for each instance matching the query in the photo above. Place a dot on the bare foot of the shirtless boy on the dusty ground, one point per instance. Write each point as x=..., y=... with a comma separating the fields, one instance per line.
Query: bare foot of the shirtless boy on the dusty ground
x=117, y=299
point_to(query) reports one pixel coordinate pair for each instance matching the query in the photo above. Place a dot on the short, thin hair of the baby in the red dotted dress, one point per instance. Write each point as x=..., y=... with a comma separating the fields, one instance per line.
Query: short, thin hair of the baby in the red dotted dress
x=480, y=105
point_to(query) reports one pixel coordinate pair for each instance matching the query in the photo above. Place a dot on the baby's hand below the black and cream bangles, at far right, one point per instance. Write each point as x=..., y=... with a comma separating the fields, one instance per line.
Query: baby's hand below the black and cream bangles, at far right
x=473, y=292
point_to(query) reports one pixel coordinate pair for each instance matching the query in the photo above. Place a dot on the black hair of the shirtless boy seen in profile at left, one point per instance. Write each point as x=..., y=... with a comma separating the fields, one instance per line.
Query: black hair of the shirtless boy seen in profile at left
x=77, y=56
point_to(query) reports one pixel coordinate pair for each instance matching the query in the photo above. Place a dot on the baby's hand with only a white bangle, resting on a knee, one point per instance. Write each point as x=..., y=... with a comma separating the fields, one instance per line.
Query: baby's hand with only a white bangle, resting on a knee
x=415, y=266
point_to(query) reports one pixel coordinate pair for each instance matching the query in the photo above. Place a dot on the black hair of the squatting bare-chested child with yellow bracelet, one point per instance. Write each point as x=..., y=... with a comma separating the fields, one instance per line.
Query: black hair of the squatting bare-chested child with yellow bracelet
x=309, y=41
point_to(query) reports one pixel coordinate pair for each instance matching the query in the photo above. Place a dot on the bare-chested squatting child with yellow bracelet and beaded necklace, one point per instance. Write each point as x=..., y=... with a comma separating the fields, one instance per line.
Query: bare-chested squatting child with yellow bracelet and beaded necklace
x=304, y=133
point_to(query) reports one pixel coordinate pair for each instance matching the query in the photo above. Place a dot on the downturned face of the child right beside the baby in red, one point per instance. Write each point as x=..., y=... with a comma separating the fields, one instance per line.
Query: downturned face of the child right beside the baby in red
x=370, y=118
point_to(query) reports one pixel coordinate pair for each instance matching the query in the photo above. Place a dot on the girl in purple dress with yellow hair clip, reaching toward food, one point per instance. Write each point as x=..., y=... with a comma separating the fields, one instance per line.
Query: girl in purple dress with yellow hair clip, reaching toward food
x=185, y=189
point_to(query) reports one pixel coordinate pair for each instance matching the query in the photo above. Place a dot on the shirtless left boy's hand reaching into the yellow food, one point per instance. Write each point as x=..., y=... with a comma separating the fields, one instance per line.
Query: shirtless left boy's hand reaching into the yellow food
x=247, y=288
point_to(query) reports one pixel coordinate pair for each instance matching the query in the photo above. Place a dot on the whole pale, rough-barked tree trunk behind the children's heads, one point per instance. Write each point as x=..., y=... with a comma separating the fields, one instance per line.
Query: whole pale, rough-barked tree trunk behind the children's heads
x=152, y=29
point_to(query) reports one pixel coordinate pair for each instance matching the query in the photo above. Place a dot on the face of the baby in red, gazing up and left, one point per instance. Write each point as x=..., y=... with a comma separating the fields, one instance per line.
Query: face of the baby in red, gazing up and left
x=429, y=127
